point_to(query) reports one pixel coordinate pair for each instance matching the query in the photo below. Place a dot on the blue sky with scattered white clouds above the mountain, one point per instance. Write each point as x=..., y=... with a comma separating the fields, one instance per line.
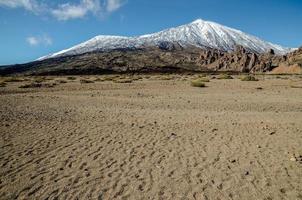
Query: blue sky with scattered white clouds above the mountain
x=30, y=29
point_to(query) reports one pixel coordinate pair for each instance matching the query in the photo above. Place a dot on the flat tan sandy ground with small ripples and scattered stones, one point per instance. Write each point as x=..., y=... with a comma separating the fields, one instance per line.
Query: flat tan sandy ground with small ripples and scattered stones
x=152, y=139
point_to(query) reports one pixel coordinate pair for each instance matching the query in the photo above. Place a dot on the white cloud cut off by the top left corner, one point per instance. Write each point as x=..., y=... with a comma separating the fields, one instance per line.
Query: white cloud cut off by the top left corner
x=30, y=5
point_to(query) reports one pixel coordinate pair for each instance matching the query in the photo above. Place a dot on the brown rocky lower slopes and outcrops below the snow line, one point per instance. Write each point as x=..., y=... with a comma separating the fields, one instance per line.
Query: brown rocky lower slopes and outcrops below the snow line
x=168, y=57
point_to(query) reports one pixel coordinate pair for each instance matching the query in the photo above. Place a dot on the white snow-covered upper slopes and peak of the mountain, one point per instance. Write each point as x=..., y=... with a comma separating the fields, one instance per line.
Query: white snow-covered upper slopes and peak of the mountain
x=199, y=33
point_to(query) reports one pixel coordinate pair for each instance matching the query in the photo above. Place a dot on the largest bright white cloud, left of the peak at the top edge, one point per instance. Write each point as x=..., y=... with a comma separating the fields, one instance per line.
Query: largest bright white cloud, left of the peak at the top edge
x=70, y=11
